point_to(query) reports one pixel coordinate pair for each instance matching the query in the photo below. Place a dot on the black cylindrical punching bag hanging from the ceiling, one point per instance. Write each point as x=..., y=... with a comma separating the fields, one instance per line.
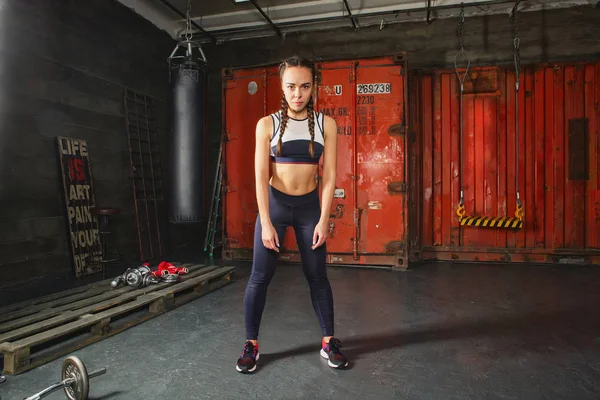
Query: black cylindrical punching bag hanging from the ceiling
x=187, y=78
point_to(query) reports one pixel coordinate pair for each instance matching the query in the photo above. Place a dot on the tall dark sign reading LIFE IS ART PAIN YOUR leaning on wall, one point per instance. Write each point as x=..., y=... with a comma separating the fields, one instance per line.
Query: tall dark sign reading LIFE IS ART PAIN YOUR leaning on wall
x=79, y=201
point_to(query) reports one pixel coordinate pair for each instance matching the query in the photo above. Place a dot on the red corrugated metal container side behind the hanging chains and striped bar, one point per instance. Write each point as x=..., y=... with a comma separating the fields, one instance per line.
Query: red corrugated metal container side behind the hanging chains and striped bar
x=561, y=205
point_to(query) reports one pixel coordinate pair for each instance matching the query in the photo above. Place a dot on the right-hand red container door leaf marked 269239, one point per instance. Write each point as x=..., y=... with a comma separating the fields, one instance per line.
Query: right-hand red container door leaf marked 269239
x=380, y=157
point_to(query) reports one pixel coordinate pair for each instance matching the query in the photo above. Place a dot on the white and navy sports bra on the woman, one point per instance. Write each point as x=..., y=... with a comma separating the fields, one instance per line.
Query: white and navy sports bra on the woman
x=296, y=139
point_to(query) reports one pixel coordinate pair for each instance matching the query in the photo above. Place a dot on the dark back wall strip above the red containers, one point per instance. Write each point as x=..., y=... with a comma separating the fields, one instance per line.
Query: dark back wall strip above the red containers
x=547, y=35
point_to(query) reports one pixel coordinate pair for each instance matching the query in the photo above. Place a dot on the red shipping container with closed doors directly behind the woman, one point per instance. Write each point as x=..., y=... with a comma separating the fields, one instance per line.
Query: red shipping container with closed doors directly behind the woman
x=367, y=98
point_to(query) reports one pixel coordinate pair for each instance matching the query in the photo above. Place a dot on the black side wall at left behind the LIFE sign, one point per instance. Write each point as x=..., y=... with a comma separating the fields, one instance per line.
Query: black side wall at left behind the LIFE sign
x=63, y=67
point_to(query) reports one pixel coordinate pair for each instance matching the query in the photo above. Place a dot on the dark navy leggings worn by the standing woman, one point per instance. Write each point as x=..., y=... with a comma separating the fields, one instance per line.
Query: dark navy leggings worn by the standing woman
x=302, y=213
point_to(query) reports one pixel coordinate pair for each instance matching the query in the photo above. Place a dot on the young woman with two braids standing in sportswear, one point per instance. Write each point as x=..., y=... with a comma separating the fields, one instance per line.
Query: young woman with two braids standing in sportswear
x=293, y=141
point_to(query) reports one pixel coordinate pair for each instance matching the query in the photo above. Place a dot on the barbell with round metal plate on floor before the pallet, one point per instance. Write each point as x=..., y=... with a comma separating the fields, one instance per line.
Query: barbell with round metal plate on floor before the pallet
x=75, y=380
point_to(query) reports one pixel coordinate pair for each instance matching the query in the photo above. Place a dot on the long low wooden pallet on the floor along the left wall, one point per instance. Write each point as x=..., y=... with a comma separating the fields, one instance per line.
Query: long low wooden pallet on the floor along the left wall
x=35, y=332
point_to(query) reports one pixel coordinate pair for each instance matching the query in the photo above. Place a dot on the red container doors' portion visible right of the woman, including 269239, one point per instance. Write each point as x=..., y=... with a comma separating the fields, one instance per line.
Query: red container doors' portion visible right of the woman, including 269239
x=367, y=224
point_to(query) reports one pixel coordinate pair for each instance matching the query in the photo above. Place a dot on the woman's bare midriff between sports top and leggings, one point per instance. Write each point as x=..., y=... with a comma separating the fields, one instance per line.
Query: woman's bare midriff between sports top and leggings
x=294, y=179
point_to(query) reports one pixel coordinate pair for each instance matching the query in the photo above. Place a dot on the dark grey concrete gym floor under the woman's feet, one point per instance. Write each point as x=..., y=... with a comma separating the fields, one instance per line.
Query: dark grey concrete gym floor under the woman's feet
x=436, y=332
